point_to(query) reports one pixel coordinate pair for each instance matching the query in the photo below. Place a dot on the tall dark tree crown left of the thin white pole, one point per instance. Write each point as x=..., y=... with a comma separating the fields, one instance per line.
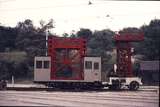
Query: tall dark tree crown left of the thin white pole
x=30, y=39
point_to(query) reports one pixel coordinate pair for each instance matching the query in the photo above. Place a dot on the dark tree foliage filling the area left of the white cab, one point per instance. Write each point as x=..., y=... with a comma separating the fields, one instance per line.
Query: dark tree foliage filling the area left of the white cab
x=24, y=37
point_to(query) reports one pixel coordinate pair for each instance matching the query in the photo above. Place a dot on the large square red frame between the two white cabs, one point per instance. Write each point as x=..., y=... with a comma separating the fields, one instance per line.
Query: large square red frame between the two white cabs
x=66, y=53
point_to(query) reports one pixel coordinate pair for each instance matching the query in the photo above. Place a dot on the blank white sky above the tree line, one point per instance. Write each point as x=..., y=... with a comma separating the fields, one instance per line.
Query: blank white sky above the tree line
x=74, y=14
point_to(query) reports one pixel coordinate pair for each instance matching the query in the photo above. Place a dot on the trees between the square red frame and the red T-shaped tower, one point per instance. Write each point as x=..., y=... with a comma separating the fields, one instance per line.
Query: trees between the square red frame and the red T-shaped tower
x=100, y=44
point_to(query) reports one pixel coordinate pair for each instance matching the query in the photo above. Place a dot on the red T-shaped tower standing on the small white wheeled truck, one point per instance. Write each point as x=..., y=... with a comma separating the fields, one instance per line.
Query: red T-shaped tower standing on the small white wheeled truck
x=124, y=65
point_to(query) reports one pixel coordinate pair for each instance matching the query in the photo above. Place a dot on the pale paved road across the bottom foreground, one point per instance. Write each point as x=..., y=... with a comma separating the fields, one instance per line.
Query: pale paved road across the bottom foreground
x=145, y=98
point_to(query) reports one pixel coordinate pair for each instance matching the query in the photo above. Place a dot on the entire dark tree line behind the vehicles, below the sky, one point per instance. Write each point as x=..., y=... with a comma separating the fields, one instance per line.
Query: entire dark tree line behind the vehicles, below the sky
x=31, y=40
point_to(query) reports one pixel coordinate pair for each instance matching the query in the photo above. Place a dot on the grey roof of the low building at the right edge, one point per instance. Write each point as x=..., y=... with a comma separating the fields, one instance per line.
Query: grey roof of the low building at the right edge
x=149, y=65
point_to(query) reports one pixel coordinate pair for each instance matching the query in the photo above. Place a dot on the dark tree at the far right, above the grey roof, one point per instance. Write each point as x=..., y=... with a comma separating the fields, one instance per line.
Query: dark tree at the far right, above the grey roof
x=150, y=46
